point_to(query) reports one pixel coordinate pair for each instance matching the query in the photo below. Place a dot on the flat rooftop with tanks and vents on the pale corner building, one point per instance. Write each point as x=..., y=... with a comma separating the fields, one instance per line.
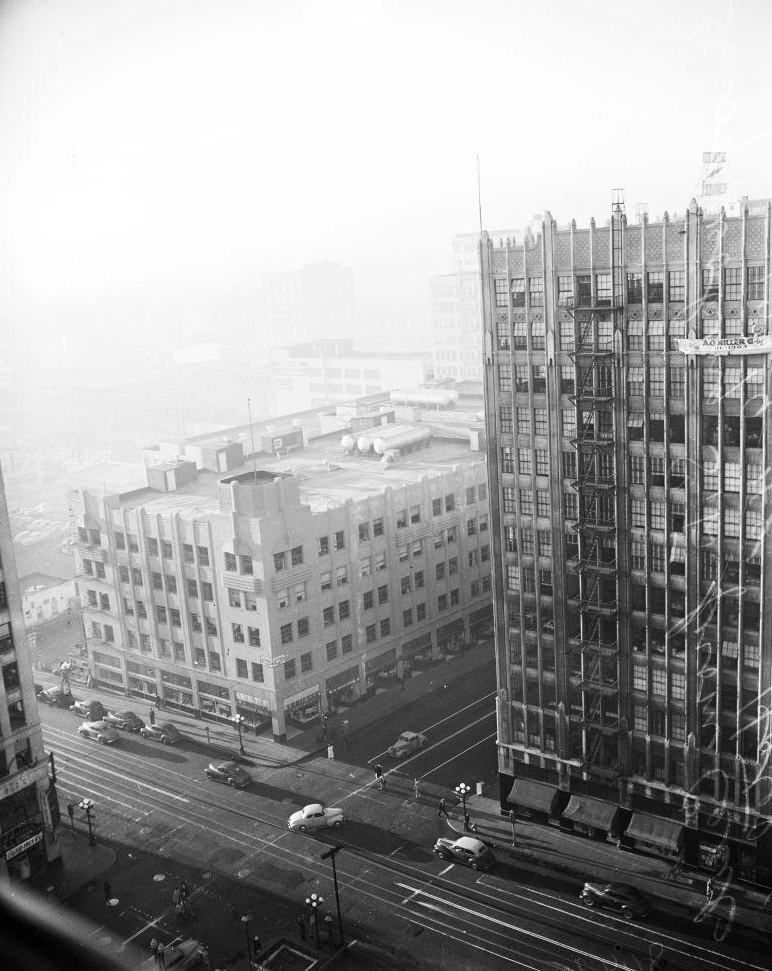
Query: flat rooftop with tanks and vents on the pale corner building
x=328, y=477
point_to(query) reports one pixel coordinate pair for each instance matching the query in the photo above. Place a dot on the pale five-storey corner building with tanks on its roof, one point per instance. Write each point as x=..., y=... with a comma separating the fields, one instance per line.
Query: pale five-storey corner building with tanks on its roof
x=335, y=557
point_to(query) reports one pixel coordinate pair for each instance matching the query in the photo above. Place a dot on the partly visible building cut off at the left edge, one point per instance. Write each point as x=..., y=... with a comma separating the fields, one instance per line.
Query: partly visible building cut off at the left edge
x=29, y=812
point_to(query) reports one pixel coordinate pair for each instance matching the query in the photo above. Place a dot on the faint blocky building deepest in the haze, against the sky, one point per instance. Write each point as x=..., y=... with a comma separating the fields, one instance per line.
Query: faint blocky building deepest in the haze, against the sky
x=312, y=302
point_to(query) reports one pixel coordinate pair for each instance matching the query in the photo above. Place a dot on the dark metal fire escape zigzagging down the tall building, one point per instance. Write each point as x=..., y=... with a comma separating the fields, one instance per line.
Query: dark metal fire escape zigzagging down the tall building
x=596, y=527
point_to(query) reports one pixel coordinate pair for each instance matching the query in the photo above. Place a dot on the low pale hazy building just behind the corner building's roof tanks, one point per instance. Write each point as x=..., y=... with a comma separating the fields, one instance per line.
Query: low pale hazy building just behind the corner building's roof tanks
x=321, y=372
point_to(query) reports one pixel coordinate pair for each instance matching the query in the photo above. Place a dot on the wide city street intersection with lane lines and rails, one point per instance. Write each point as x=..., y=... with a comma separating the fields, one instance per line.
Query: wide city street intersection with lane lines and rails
x=169, y=824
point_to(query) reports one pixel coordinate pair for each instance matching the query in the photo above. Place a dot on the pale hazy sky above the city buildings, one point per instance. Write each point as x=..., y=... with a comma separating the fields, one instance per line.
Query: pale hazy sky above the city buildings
x=151, y=148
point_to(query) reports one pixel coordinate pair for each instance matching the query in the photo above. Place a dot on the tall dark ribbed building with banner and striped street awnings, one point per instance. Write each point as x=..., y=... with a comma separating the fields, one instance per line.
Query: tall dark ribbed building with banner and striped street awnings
x=627, y=382
